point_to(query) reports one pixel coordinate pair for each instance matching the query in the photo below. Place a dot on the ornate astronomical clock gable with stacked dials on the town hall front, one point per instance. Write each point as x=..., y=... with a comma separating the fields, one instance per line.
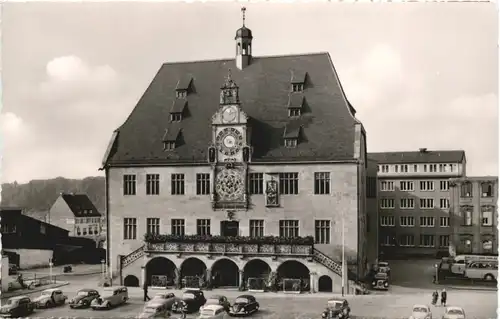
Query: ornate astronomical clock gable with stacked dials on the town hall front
x=229, y=153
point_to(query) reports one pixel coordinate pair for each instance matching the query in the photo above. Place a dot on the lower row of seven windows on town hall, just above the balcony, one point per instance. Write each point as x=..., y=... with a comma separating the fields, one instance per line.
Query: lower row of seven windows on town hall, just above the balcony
x=288, y=228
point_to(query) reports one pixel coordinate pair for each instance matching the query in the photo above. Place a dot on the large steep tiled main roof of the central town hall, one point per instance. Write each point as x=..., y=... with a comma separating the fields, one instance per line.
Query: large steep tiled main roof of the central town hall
x=264, y=88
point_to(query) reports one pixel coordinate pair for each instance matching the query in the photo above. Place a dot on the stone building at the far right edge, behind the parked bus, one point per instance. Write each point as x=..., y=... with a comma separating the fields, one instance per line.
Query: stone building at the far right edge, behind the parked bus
x=474, y=215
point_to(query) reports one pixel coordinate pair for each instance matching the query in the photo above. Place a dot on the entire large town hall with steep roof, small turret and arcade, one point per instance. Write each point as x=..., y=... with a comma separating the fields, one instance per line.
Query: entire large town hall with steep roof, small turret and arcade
x=248, y=167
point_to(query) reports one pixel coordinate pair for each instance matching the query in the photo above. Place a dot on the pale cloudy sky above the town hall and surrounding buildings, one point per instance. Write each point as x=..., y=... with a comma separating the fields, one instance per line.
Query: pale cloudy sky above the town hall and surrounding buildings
x=418, y=74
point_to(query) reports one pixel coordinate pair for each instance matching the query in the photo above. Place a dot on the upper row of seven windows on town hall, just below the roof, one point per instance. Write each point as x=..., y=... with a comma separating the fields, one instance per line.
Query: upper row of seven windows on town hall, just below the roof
x=288, y=184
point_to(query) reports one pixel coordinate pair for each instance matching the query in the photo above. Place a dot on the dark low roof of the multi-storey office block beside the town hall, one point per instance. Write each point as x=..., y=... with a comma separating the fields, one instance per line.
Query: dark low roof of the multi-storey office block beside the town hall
x=455, y=156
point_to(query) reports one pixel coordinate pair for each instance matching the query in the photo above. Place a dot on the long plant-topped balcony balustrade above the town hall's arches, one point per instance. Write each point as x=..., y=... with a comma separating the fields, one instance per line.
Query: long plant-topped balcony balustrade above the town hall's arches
x=242, y=246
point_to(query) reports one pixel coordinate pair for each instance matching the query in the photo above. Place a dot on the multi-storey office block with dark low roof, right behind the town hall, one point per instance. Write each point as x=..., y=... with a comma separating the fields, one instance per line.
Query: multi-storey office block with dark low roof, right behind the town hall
x=414, y=200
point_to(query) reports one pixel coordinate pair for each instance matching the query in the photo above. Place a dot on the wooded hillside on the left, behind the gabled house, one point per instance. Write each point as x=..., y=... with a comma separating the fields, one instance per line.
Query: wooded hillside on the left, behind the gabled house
x=37, y=196
